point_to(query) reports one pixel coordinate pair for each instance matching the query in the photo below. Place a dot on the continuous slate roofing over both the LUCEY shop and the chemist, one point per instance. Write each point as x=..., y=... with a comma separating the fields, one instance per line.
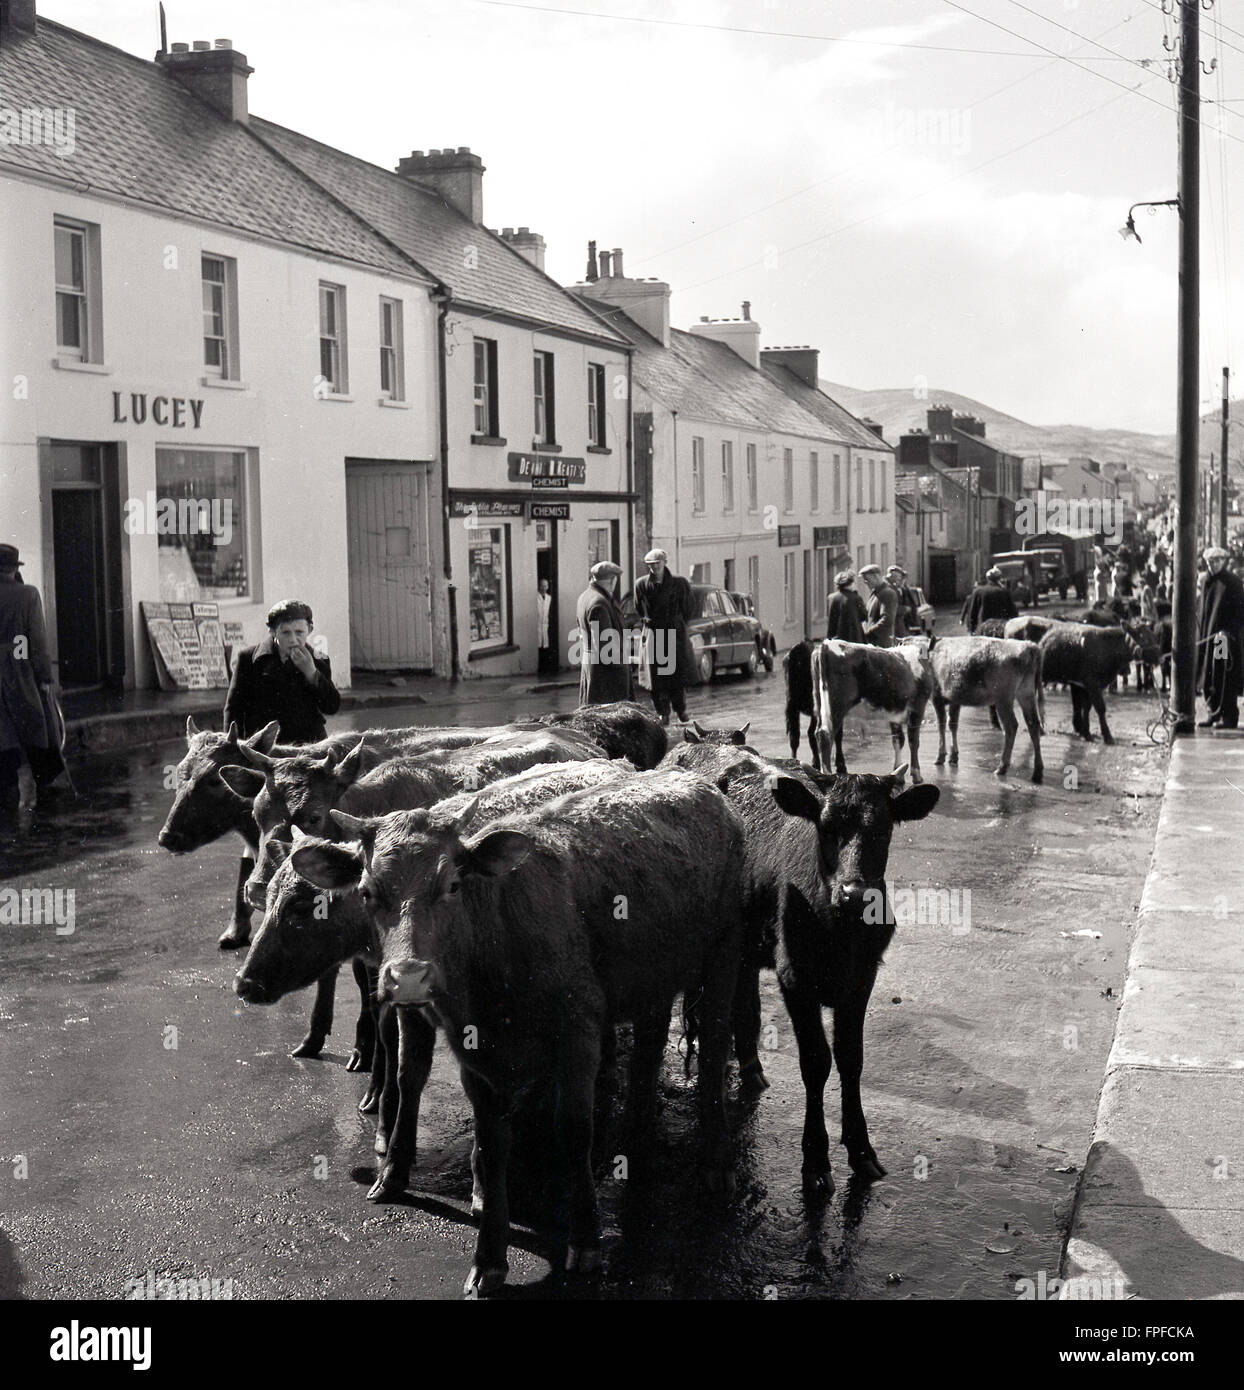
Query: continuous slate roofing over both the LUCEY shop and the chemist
x=142, y=137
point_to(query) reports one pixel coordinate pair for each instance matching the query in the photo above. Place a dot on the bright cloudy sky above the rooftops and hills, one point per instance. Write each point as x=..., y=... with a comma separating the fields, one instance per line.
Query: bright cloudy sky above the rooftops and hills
x=921, y=188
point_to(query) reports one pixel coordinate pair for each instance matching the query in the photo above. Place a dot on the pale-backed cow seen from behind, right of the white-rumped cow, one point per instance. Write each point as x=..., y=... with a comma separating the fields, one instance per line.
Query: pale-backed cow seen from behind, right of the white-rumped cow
x=989, y=671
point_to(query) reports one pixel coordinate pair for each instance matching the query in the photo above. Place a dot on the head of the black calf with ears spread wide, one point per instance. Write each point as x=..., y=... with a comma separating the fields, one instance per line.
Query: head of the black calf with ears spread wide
x=854, y=815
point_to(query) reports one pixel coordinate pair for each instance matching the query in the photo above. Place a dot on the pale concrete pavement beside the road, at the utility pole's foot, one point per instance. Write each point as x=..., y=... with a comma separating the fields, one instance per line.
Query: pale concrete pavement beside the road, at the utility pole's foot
x=1161, y=1206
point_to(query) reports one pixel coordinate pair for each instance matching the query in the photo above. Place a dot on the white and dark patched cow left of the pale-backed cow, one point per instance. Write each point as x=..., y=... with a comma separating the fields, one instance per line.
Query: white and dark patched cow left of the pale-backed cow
x=897, y=680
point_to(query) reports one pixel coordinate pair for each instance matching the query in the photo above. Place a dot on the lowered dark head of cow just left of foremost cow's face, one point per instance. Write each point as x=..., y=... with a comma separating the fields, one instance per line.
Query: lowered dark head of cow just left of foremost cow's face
x=305, y=933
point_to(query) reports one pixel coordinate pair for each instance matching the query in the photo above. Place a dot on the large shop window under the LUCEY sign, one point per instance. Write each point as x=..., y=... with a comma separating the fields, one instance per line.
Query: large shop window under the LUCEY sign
x=201, y=523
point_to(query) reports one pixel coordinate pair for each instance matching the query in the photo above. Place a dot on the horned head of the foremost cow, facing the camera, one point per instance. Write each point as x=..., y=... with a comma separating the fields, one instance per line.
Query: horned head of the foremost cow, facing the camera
x=411, y=868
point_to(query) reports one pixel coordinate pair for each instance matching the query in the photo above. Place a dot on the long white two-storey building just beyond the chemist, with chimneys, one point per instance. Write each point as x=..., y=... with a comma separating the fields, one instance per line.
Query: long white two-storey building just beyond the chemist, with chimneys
x=747, y=476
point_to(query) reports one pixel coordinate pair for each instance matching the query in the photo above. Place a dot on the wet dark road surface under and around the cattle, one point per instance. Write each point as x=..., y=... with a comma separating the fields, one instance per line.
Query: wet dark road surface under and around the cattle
x=155, y=1124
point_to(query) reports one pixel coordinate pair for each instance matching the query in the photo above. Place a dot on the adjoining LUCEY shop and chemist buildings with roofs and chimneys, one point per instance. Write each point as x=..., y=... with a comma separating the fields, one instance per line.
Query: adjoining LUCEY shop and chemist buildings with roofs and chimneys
x=241, y=365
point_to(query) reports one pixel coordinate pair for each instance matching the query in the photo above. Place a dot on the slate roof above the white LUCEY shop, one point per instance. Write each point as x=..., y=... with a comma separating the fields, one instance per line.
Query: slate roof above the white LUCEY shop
x=142, y=137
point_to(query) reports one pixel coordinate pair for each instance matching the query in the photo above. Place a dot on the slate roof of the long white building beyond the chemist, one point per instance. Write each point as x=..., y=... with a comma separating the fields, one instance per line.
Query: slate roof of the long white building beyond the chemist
x=707, y=380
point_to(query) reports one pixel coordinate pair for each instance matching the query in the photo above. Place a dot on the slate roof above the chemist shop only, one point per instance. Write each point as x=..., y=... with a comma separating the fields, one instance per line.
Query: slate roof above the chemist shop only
x=437, y=236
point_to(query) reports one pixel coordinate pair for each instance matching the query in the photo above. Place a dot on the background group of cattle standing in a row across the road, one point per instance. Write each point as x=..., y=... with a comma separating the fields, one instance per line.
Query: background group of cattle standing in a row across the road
x=1004, y=664
